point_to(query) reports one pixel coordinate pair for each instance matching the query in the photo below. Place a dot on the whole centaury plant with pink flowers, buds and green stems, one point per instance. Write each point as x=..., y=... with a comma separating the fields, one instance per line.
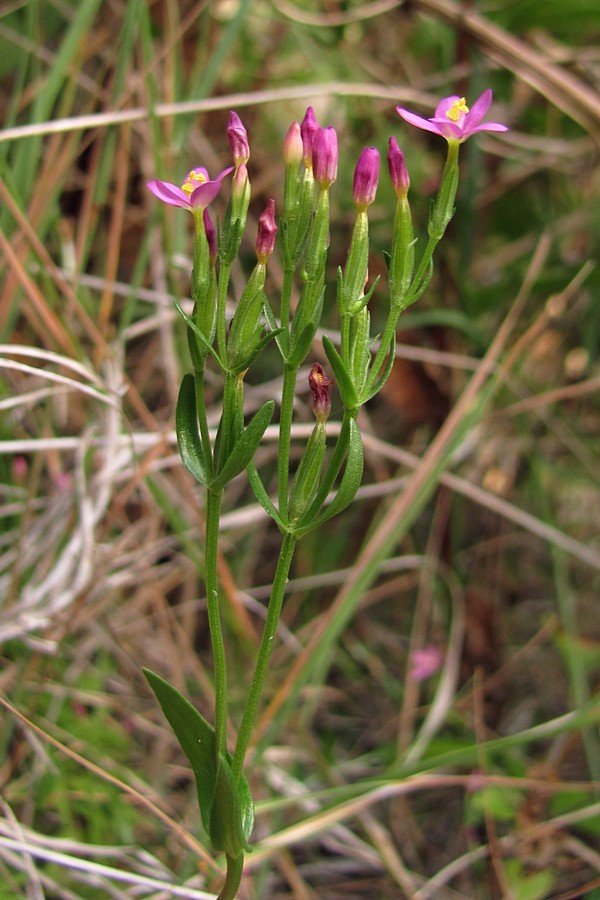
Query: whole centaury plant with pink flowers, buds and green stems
x=325, y=480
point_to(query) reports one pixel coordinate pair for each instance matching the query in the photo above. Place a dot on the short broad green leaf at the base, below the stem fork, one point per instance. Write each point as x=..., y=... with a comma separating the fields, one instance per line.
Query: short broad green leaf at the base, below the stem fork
x=232, y=814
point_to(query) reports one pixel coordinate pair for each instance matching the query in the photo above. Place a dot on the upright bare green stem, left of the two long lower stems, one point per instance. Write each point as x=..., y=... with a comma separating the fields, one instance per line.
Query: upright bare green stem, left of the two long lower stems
x=213, y=514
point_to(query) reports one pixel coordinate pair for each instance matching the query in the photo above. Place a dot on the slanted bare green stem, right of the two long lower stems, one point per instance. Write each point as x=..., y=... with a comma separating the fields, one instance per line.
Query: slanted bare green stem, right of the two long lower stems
x=264, y=653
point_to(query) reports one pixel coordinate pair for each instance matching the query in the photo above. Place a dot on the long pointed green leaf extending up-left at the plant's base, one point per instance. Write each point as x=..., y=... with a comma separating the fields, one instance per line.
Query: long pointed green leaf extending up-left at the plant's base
x=196, y=737
